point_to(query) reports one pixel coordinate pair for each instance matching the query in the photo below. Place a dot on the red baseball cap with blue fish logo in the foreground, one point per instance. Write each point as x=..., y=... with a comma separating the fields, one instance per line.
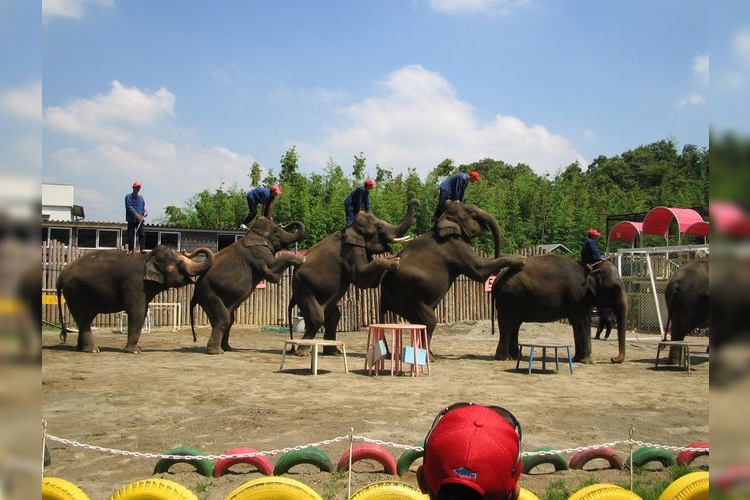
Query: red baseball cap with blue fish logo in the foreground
x=474, y=446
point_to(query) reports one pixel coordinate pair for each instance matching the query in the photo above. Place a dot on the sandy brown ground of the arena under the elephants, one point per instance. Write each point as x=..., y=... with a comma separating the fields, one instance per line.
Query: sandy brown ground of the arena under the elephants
x=175, y=395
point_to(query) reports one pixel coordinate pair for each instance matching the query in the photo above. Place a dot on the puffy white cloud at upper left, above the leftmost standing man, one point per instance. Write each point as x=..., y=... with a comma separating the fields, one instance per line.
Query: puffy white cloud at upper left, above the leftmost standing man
x=111, y=117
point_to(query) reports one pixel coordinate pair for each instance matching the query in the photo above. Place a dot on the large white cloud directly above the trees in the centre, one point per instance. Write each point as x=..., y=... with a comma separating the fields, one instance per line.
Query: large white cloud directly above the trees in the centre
x=418, y=121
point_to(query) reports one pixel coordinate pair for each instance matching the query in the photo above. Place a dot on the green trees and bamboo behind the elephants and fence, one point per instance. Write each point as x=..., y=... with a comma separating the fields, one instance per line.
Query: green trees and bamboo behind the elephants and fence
x=531, y=209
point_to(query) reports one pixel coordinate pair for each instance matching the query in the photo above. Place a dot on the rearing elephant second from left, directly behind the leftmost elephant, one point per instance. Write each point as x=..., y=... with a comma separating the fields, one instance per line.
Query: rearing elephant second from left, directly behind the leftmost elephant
x=236, y=272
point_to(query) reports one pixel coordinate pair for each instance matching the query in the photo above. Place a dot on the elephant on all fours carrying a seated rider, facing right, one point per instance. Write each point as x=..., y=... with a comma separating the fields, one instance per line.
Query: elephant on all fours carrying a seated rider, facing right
x=551, y=288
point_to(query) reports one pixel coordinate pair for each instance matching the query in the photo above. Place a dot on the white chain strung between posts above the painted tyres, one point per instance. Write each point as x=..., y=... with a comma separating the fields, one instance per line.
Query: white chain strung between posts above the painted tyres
x=327, y=442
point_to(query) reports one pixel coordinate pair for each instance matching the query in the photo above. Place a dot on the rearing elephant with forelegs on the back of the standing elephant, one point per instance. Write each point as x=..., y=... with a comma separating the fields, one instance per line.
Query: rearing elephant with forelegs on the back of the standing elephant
x=429, y=264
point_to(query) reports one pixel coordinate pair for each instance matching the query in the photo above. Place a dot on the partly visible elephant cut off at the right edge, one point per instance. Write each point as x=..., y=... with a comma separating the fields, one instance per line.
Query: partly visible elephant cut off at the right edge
x=686, y=296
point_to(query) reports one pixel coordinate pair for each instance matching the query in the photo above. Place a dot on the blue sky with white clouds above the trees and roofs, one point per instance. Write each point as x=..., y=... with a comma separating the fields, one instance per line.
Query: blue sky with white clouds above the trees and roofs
x=185, y=95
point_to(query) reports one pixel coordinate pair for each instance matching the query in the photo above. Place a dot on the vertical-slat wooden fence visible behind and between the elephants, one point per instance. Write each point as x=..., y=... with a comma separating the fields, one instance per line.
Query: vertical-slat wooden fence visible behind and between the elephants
x=466, y=300
